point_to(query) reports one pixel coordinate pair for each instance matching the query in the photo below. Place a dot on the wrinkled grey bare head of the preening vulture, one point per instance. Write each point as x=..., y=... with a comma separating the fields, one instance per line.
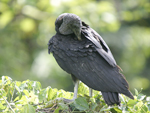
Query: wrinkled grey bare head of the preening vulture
x=68, y=23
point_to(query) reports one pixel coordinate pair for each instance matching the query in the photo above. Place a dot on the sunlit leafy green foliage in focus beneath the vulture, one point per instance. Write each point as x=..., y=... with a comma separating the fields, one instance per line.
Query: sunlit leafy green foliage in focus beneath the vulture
x=29, y=97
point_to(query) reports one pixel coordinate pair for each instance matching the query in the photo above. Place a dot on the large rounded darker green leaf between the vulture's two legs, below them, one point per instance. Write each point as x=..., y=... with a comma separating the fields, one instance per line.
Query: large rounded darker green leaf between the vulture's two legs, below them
x=81, y=104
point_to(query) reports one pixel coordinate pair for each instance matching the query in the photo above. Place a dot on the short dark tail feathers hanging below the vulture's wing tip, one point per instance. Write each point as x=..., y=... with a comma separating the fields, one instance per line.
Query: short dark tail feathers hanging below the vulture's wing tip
x=111, y=98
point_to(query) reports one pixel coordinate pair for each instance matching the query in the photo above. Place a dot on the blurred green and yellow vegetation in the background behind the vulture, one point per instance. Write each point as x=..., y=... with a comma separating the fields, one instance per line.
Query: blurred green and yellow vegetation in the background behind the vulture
x=27, y=25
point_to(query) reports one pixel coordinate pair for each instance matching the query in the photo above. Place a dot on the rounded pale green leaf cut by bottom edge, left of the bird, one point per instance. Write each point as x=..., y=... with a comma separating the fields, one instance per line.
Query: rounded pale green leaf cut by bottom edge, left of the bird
x=28, y=109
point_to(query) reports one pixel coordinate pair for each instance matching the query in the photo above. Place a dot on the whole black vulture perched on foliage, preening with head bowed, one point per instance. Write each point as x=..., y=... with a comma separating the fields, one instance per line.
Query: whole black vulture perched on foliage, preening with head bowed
x=80, y=51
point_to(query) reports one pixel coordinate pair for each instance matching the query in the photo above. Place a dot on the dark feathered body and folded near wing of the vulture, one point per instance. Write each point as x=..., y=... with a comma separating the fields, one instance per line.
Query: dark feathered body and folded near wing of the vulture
x=91, y=69
